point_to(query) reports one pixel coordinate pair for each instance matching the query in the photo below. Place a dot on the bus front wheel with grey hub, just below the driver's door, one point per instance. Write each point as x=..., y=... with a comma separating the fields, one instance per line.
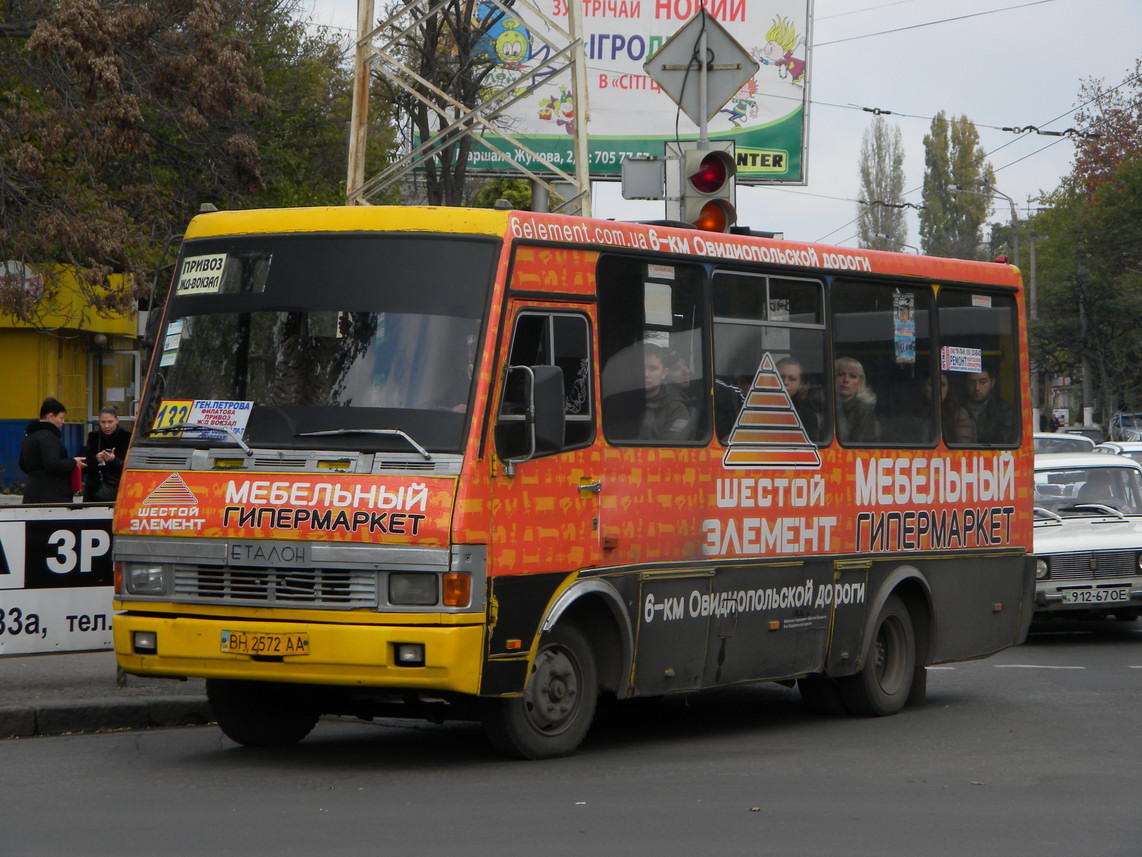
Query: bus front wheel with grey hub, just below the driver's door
x=553, y=716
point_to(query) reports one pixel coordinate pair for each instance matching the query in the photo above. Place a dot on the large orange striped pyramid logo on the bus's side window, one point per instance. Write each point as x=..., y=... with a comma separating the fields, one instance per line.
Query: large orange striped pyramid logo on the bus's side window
x=769, y=432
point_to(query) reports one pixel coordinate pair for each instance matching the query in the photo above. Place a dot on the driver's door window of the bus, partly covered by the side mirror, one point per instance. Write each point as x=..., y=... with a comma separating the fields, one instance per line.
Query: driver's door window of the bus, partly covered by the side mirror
x=561, y=340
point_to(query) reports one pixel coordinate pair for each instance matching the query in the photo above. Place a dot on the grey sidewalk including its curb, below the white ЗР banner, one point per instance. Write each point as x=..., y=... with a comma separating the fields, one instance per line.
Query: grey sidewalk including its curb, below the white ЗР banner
x=82, y=693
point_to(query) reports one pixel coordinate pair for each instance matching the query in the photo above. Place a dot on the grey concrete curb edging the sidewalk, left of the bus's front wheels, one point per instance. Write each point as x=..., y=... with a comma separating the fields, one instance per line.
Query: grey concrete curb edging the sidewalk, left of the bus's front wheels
x=99, y=716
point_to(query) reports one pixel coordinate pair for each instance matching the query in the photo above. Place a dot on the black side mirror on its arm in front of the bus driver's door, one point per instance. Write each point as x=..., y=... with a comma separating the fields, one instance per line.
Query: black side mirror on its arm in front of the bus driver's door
x=530, y=421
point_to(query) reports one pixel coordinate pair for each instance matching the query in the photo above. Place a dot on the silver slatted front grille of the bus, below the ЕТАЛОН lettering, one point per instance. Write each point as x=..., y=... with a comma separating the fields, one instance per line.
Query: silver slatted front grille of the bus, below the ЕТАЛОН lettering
x=278, y=587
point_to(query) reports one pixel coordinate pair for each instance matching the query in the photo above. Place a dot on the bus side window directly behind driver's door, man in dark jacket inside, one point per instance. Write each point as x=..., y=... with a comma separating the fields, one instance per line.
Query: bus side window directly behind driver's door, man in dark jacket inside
x=652, y=350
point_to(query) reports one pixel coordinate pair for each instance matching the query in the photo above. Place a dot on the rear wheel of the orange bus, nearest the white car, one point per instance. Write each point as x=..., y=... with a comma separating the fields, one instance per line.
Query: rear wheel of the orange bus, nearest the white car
x=883, y=686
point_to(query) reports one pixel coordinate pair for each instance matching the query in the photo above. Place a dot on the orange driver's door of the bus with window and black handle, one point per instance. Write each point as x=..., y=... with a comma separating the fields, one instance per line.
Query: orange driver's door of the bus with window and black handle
x=545, y=516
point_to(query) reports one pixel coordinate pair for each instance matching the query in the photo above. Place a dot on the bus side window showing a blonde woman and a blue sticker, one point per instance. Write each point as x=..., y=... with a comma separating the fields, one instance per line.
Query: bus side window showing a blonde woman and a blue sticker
x=882, y=334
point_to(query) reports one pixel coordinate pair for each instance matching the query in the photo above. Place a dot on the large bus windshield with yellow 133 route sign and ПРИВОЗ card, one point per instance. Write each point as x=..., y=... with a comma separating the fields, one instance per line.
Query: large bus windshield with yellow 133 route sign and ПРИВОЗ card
x=335, y=342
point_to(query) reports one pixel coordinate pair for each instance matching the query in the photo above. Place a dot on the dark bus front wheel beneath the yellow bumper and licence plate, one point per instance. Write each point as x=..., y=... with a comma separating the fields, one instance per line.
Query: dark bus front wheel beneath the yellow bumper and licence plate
x=261, y=715
